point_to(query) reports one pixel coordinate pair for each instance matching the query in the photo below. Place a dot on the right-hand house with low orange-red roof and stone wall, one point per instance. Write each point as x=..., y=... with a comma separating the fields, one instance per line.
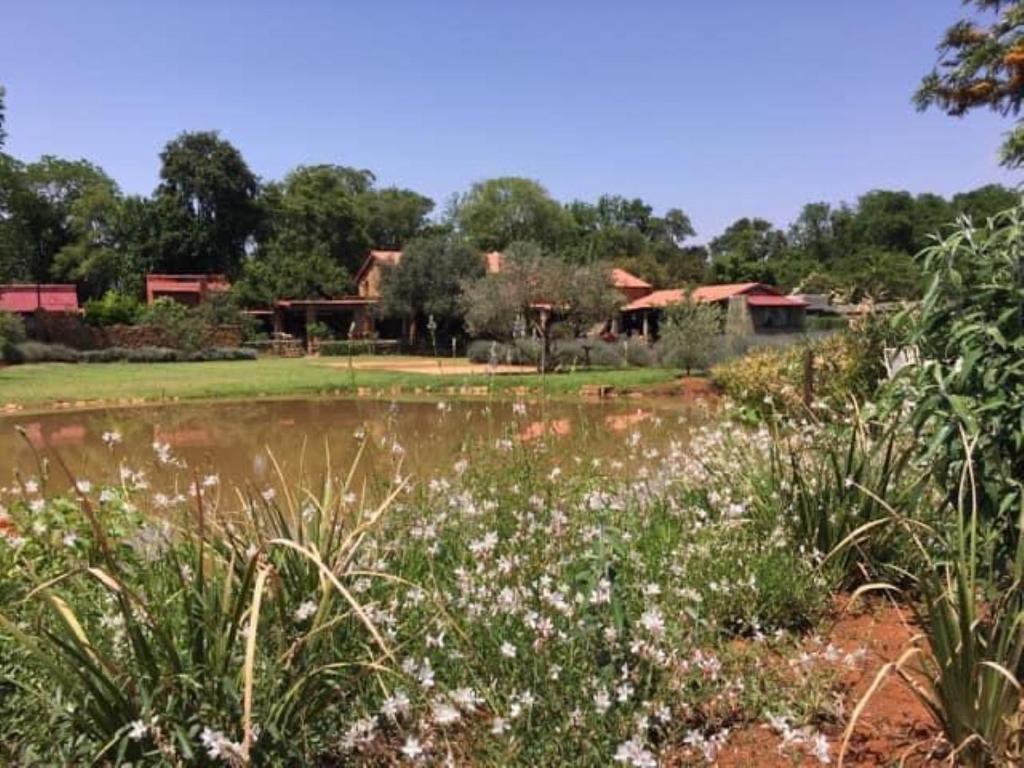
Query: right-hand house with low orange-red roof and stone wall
x=771, y=311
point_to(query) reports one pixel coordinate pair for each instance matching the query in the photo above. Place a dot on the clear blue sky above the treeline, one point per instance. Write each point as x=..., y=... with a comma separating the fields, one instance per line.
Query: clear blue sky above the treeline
x=724, y=110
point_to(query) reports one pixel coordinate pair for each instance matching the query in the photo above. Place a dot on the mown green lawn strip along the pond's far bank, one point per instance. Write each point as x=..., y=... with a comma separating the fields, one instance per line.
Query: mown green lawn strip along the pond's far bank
x=39, y=387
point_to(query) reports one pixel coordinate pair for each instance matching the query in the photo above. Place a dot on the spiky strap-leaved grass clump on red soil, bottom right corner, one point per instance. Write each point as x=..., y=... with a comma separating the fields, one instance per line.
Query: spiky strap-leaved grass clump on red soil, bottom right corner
x=966, y=672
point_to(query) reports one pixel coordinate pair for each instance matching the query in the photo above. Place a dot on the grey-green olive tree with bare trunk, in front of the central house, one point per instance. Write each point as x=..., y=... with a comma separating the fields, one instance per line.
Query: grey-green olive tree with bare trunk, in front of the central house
x=535, y=289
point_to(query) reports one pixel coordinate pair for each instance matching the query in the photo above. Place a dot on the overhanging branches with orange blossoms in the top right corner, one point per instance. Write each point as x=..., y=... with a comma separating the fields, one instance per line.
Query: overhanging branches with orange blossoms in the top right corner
x=983, y=67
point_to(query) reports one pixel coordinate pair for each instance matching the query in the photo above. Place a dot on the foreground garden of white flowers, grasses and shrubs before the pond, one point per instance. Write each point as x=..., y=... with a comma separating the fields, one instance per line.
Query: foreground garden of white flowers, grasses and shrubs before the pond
x=670, y=604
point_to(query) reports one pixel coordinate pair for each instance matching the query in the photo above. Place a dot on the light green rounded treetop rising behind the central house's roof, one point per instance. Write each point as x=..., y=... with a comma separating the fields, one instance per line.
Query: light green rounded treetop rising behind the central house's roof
x=495, y=214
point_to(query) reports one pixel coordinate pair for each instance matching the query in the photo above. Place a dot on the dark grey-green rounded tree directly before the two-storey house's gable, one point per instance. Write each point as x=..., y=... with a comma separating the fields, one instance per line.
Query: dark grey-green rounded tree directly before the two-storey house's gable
x=430, y=281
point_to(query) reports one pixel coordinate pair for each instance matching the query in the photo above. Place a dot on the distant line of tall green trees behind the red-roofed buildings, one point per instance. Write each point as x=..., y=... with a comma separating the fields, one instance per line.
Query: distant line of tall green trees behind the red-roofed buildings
x=307, y=235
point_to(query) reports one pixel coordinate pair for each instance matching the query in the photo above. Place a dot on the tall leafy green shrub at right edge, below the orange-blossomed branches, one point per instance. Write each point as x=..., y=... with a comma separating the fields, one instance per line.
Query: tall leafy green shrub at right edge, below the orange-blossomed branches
x=970, y=391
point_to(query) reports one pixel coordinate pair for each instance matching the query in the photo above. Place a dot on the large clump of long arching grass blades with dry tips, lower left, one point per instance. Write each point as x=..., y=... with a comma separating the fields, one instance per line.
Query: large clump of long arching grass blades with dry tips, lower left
x=226, y=637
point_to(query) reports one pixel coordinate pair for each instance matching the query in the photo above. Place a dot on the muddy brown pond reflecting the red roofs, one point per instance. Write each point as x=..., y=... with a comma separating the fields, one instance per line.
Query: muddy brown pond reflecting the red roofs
x=240, y=443
